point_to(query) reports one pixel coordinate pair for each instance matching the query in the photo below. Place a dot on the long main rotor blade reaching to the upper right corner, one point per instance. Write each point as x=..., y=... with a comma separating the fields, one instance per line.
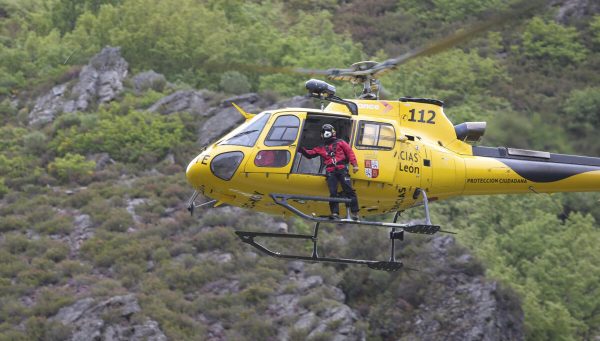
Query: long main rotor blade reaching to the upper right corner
x=517, y=10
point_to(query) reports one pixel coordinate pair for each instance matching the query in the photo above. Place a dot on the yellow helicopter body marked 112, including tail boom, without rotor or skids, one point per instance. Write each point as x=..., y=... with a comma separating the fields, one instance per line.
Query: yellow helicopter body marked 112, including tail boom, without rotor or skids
x=401, y=147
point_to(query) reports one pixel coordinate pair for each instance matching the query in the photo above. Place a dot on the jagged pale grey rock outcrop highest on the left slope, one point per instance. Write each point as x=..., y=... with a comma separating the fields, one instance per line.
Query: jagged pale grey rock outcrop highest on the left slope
x=99, y=82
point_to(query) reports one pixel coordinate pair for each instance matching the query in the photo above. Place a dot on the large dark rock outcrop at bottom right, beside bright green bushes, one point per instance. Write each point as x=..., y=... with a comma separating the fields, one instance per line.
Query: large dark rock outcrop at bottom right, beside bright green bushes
x=462, y=305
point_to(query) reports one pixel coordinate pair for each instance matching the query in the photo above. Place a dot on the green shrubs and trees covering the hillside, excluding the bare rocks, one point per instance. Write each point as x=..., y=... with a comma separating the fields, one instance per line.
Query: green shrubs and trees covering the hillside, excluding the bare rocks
x=535, y=81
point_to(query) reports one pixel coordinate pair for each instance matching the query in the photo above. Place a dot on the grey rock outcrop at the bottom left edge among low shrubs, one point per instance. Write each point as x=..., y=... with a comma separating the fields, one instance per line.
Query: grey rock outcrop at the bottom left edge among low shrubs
x=110, y=319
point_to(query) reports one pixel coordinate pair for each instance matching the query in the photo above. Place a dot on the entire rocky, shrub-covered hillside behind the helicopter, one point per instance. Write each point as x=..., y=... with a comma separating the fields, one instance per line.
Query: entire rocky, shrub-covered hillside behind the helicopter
x=103, y=104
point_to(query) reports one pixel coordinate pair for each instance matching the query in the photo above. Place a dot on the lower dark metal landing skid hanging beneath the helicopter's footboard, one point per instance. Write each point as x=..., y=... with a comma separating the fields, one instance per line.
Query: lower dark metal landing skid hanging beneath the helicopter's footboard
x=248, y=237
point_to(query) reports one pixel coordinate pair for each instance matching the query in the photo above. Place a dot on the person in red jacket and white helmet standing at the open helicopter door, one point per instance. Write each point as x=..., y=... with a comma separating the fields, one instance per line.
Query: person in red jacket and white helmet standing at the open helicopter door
x=336, y=154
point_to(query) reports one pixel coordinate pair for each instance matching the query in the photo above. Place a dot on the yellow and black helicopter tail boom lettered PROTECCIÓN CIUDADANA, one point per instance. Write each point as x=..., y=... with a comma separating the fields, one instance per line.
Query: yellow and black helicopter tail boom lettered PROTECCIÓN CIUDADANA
x=506, y=170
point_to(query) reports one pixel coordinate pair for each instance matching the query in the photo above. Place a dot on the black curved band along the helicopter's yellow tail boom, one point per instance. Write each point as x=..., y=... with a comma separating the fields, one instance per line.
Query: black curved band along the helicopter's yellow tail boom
x=556, y=167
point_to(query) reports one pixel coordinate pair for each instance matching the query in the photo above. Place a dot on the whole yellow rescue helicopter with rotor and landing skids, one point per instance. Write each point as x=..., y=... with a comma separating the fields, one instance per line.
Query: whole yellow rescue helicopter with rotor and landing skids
x=408, y=152
